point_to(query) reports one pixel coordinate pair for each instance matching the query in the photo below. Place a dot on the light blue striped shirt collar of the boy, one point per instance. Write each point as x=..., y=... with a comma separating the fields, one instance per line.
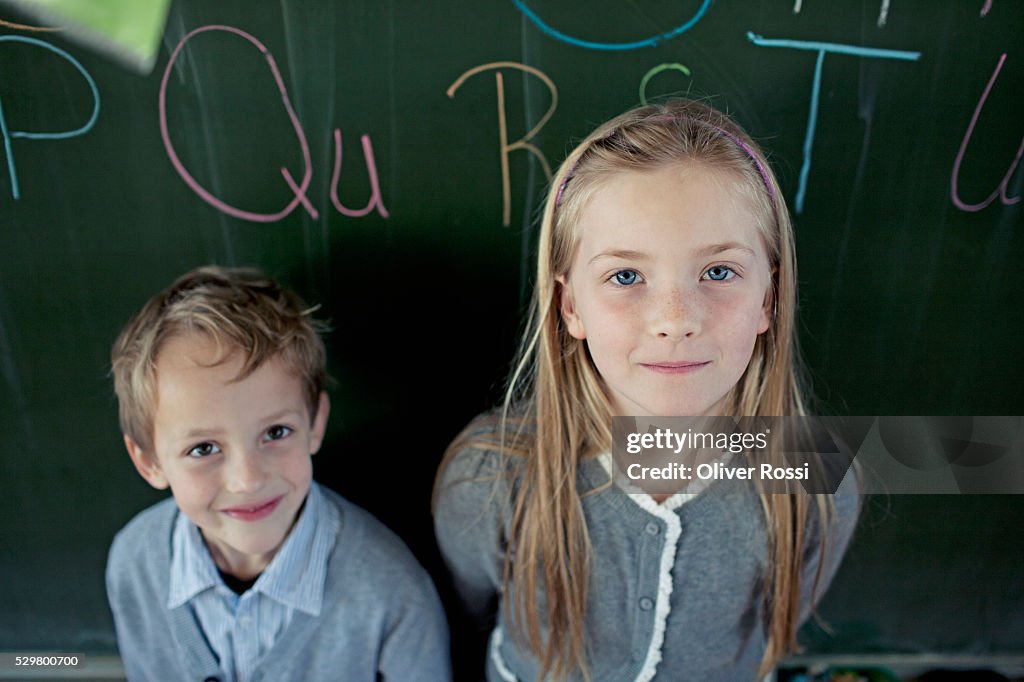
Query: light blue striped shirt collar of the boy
x=295, y=577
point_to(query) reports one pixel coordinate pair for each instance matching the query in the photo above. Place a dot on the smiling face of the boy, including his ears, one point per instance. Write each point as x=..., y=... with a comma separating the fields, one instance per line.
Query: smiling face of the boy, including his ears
x=235, y=454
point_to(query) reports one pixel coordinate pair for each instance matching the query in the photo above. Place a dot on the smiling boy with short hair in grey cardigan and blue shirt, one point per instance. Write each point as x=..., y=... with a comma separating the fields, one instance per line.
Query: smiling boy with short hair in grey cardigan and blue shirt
x=252, y=572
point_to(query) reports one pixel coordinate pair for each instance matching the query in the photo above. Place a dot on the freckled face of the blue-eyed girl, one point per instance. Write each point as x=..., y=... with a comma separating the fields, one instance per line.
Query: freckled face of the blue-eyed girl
x=670, y=287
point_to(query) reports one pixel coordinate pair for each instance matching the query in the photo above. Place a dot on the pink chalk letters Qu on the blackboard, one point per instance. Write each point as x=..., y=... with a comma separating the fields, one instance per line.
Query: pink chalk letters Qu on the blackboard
x=298, y=189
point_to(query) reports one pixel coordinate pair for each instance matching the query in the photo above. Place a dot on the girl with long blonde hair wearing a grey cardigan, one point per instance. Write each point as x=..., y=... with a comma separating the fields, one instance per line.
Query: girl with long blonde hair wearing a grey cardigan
x=666, y=286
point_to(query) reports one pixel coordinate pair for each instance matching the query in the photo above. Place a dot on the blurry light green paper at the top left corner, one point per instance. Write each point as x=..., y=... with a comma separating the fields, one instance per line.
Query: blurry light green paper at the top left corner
x=129, y=30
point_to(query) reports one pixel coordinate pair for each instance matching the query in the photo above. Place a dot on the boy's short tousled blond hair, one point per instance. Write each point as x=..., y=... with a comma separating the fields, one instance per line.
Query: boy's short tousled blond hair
x=242, y=311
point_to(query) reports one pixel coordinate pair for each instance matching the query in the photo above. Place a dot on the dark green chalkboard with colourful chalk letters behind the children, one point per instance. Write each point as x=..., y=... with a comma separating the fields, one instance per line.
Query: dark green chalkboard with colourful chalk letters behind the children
x=356, y=151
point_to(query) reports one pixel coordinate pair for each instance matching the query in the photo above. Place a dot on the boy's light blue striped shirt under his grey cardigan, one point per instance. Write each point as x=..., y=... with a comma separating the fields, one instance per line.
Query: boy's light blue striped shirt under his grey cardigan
x=242, y=628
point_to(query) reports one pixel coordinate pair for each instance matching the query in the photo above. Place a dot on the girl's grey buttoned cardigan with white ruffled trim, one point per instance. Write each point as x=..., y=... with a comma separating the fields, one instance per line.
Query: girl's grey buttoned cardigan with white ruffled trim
x=674, y=593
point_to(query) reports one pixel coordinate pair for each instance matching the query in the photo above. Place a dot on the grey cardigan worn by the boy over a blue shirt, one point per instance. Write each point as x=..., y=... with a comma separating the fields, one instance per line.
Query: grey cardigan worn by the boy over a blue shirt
x=381, y=618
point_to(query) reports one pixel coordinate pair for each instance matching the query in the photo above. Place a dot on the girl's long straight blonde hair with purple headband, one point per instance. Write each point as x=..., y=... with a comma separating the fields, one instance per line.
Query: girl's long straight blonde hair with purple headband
x=557, y=411
